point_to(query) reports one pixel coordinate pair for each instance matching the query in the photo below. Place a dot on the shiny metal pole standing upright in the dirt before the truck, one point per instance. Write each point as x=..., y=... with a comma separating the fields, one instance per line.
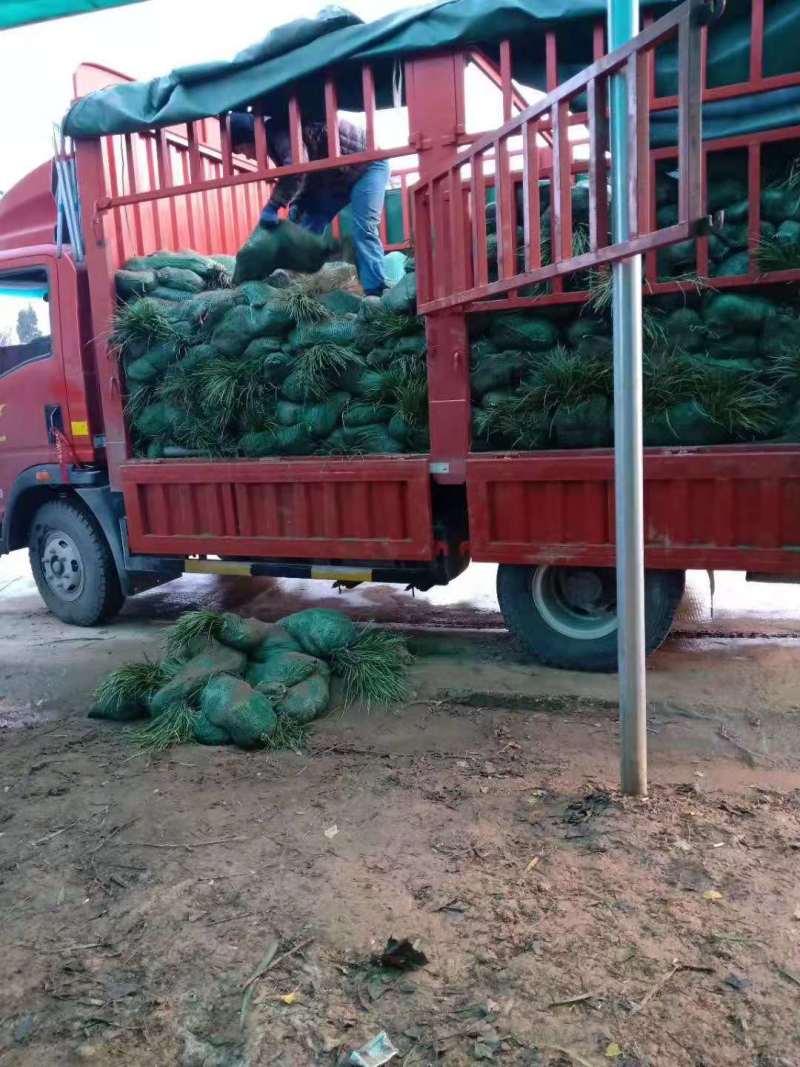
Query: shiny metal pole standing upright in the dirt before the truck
x=623, y=24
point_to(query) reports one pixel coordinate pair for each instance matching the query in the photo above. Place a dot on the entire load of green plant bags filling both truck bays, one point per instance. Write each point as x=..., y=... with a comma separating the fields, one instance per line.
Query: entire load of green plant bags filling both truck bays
x=247, y=359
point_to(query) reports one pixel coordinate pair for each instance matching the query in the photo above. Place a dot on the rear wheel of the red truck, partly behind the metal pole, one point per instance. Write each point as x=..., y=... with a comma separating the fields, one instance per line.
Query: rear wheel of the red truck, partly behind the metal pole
x=567, y=616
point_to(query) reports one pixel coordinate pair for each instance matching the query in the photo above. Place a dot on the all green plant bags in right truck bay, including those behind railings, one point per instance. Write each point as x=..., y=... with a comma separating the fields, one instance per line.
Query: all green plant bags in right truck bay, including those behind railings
x=721, y=367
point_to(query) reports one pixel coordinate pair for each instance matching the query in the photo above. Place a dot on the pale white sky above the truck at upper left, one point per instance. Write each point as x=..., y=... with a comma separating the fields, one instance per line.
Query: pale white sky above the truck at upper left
x=38, y=62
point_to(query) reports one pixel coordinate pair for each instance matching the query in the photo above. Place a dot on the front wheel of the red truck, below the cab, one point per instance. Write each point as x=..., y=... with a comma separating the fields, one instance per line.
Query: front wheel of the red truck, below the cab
x=73, y=565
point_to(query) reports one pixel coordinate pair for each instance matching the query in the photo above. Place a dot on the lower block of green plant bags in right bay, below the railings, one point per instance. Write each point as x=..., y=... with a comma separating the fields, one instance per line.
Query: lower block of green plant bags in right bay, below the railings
x=718, y=369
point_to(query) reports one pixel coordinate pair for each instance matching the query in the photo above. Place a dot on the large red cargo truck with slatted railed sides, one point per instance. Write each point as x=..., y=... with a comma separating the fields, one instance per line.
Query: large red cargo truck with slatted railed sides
x=102, y=525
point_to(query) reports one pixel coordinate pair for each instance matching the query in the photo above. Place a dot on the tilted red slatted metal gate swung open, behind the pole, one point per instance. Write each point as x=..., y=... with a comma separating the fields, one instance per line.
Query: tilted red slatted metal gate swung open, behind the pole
x=453, y=263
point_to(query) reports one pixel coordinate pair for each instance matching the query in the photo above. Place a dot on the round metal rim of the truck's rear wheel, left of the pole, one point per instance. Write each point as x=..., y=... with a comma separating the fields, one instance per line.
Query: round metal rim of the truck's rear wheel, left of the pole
x=578, y=602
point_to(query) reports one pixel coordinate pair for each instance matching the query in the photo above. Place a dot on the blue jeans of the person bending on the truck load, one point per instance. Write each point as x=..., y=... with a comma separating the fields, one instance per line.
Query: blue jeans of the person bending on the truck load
x=366, y=199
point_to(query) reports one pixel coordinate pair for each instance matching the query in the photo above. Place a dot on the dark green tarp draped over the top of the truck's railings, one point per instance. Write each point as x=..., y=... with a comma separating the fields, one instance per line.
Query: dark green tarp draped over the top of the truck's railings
x=295, y=58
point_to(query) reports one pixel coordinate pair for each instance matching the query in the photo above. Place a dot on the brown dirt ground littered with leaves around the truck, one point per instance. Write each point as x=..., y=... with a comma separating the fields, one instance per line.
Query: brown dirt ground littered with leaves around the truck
x=564, y=926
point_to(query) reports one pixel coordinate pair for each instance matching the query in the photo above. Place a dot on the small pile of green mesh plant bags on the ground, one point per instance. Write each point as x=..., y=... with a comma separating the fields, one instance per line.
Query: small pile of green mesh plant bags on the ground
x=229, y=680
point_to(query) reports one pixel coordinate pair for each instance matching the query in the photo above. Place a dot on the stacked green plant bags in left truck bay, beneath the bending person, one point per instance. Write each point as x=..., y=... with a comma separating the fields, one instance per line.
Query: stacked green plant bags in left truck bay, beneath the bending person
x=257, y=359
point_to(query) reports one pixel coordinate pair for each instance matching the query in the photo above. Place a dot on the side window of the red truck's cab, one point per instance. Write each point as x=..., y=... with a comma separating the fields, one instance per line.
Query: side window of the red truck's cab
x=25, y=320
